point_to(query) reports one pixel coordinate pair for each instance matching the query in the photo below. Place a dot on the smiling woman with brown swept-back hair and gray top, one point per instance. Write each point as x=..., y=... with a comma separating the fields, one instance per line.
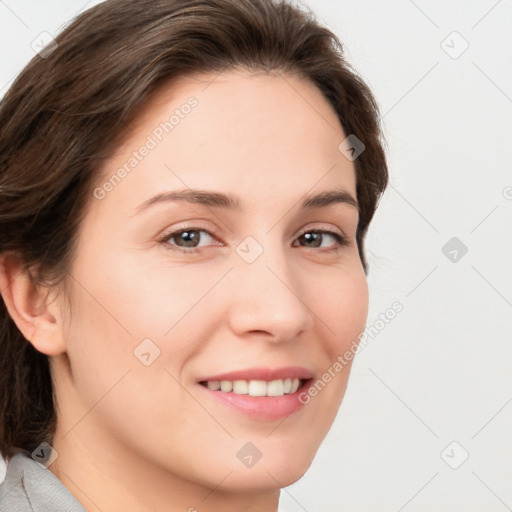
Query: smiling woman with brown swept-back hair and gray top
x=185, y=191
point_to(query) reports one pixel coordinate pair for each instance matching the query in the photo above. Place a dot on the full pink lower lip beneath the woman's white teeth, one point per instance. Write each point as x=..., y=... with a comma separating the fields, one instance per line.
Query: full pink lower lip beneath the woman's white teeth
x=266, y=408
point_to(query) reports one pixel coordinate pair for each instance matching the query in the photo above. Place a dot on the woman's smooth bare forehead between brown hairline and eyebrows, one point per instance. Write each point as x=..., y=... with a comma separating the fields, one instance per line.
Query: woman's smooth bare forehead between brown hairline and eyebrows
x=253, y=133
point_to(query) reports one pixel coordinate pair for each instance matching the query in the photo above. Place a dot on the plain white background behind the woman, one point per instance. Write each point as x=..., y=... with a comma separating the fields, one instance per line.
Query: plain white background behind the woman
x=440, y=371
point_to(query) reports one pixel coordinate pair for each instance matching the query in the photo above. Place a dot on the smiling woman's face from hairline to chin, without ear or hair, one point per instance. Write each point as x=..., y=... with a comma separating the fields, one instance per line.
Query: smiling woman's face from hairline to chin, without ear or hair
x=246, y=292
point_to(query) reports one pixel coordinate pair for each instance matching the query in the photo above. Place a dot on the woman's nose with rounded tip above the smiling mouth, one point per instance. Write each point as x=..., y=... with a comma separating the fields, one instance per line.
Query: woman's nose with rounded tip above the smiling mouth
x=268, y=298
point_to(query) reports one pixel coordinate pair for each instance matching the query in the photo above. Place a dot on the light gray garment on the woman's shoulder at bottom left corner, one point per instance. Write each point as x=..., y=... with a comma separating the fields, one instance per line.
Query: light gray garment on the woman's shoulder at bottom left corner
x=30, y=487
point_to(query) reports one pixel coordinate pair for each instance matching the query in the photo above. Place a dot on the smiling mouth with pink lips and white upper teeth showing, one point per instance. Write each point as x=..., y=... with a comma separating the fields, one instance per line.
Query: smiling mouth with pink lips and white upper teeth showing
x=263, y=394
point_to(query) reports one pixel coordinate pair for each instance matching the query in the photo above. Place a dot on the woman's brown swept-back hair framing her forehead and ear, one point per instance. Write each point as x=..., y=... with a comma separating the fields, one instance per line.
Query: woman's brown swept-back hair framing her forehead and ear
x=64, y=115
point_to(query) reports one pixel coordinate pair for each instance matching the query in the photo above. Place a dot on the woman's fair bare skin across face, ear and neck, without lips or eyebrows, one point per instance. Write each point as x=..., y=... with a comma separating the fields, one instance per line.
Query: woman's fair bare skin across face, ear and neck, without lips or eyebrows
x=143, y=438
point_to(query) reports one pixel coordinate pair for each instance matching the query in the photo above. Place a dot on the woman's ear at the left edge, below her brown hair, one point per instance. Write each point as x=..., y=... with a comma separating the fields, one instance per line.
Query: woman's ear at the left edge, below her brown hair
x=27, y=305
